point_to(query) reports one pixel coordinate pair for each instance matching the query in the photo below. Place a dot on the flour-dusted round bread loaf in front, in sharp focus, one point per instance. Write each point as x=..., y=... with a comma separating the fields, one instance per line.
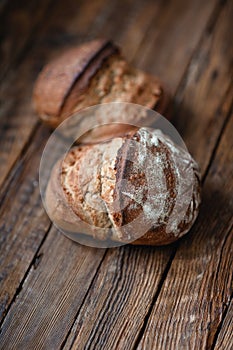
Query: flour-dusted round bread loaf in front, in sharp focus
x=140, y=189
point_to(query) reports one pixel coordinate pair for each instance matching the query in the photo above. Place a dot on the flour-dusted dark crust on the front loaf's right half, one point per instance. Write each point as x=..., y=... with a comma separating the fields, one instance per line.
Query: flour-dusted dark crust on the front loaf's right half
x=137, y=179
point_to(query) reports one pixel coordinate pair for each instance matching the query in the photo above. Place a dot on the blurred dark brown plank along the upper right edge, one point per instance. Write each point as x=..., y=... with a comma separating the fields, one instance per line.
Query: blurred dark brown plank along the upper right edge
x=205, y=94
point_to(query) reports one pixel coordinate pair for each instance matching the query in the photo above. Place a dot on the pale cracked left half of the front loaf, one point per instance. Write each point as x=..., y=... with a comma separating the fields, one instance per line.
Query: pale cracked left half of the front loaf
x=88, y=179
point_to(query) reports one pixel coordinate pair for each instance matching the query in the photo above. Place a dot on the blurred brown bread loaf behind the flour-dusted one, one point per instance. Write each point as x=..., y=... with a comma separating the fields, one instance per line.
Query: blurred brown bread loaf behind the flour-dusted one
x=91, y=74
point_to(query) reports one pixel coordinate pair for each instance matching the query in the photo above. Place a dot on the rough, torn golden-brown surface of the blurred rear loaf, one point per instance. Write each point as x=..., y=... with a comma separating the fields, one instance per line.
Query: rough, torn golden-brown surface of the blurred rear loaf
x=117, y=81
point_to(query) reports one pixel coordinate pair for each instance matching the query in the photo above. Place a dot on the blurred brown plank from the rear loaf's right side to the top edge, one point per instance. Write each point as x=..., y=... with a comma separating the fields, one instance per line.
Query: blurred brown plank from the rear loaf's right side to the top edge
x=165, y=50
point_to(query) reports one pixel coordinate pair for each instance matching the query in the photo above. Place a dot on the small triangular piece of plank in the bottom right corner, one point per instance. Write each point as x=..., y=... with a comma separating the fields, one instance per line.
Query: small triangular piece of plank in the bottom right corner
x=225, y=339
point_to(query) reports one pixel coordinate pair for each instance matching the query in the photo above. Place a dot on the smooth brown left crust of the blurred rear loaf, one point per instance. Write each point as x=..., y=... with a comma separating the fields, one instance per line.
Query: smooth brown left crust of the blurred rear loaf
x=56, y=81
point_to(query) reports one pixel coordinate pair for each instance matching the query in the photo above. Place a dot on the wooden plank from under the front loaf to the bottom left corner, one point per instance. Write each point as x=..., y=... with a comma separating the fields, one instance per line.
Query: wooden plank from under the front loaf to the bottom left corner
x=53, y=291
